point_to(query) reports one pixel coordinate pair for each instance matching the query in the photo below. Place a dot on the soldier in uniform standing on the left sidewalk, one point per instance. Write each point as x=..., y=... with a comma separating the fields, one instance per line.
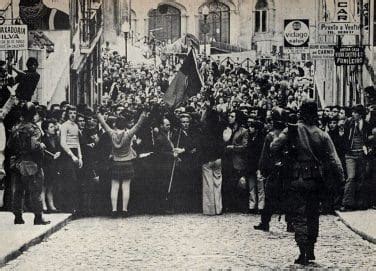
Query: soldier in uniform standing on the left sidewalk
x=27, y=149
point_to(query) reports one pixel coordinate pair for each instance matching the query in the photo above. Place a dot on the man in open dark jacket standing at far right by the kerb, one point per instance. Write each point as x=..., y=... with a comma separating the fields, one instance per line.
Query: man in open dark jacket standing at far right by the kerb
x=356, y=132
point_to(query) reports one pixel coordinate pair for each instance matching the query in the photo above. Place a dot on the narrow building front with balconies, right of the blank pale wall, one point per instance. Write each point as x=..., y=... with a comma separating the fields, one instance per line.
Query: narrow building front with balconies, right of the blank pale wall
x=86, y=19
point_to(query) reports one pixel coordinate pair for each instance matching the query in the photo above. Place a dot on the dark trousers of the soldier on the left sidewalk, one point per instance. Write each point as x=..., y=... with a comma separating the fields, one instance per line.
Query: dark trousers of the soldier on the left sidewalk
x=33, y=184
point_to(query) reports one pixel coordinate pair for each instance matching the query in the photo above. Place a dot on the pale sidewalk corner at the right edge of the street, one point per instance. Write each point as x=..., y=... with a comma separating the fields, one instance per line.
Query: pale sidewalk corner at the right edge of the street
x=361, y=222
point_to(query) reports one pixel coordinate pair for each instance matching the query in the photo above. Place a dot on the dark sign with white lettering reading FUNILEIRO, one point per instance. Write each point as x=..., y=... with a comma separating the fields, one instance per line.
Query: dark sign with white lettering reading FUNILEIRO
x=349, y=56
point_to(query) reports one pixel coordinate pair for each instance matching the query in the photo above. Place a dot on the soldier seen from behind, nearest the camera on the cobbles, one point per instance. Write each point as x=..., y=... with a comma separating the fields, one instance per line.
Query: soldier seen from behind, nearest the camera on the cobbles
x=312, y=148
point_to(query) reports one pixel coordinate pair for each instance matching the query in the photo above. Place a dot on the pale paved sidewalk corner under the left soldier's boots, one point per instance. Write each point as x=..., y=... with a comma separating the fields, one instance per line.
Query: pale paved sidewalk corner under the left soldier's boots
x=14, y=239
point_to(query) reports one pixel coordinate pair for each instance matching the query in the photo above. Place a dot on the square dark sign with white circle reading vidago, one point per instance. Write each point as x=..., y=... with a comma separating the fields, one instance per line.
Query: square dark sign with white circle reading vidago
x=296, y=33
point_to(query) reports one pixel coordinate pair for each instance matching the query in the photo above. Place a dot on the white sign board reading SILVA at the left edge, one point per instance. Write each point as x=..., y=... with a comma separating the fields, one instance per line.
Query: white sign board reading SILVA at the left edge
x=13, y=37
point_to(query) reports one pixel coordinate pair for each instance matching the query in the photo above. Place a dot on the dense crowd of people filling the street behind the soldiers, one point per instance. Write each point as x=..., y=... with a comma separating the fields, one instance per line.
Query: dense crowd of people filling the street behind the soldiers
x=204, y=156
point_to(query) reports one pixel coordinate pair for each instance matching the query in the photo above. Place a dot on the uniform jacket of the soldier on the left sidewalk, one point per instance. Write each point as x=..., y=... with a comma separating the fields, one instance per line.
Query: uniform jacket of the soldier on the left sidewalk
x=26, y=149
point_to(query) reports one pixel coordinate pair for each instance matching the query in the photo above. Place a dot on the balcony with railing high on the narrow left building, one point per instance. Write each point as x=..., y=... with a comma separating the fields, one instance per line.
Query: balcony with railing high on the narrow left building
x=91, y=27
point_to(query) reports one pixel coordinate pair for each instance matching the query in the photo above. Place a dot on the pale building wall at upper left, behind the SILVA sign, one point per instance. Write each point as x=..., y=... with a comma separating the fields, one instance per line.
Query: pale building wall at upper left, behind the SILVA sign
x=49, y=44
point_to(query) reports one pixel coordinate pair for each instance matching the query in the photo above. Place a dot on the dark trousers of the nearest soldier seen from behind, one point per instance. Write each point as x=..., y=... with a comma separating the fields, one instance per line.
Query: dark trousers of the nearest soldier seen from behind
x=305, y=215
